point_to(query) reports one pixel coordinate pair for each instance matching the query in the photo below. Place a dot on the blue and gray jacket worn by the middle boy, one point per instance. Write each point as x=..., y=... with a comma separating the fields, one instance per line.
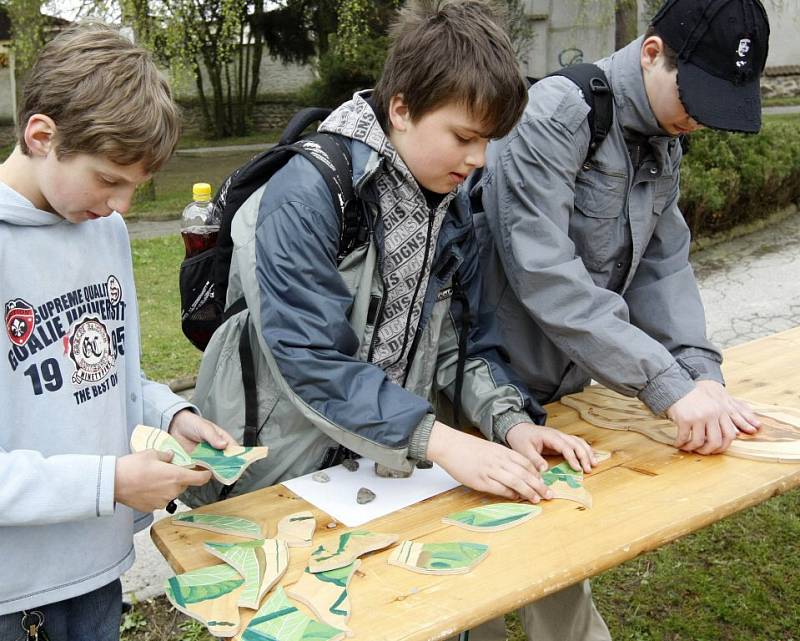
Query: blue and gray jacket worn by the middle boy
x=313, y=324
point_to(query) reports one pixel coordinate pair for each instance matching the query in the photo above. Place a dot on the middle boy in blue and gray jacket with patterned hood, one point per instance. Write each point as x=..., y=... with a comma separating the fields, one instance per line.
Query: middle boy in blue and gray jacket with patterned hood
x=351, y=353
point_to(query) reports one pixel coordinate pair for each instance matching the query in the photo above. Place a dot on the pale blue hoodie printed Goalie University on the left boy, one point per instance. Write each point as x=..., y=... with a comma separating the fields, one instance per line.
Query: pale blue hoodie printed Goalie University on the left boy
x=70, y=392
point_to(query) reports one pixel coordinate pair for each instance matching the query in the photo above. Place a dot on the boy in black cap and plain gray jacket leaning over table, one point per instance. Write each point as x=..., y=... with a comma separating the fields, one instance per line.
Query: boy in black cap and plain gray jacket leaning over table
x=586, y=257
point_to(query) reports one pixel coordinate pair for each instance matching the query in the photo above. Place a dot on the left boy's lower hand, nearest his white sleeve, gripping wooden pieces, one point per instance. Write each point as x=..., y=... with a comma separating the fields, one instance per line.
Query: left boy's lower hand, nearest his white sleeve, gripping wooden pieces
x=147, y=481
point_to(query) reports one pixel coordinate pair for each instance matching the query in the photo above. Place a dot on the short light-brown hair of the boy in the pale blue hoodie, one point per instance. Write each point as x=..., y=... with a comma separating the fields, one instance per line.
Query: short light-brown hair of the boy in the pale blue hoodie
x=106, y=97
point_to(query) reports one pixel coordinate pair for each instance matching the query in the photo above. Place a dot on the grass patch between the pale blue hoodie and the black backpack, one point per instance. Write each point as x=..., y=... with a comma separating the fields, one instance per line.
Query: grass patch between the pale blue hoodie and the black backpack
x=166, y=353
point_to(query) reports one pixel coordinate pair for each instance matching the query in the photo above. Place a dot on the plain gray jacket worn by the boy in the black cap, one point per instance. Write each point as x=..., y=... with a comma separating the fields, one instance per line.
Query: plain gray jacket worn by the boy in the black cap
x=586, y=264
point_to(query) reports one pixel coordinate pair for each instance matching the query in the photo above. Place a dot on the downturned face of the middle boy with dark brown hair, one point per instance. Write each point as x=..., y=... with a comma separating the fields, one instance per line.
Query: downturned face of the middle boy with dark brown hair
x=441, y=147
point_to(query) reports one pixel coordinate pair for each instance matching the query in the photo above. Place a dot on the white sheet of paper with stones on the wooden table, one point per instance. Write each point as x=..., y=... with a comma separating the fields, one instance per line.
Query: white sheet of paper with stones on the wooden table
x=338, y=496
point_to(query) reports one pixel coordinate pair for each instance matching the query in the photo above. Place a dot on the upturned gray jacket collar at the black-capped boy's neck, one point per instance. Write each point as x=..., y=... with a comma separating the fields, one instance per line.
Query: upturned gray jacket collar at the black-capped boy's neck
x=633, y=107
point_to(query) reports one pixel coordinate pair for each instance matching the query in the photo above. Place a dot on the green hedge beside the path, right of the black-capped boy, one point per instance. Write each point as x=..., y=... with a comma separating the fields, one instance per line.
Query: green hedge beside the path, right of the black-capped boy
x=728, y=179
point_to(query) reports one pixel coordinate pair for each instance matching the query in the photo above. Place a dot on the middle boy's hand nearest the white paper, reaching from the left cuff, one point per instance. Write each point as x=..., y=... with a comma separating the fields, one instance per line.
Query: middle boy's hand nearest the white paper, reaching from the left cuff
x=485, y=466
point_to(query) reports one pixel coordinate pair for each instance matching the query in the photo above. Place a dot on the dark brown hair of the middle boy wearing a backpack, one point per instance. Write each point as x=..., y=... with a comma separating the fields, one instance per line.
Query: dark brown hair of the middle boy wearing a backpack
x=447, y=51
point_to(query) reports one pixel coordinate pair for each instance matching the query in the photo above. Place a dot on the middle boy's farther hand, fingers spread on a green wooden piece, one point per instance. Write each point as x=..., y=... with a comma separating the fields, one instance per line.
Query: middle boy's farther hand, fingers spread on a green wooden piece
x=533, y=440
